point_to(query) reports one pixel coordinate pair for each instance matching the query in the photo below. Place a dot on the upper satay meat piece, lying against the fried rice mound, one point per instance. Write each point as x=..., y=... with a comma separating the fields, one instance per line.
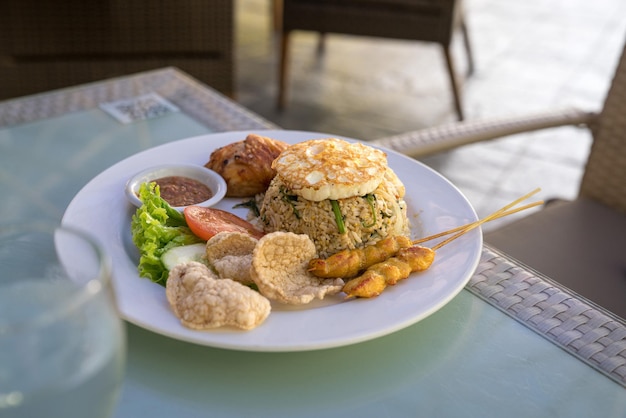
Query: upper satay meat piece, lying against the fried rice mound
x=347, y=264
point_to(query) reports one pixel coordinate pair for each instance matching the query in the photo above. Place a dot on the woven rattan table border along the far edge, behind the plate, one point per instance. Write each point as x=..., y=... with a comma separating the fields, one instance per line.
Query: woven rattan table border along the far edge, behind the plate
x=194, y=98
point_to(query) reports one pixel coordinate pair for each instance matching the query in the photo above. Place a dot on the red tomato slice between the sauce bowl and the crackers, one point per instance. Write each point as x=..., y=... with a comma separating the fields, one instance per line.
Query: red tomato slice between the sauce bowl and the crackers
x=207, y=222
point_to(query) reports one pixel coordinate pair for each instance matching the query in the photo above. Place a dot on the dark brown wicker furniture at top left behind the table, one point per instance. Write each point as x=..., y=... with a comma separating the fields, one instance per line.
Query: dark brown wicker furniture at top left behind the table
x=48, y=45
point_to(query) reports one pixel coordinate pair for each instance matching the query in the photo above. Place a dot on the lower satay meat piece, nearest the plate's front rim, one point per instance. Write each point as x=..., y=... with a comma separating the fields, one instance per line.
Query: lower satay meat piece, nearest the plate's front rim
x=378, y=276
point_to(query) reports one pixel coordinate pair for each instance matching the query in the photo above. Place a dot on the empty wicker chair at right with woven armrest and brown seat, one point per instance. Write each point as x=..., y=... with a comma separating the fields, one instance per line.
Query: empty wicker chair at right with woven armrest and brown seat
x=580, y=243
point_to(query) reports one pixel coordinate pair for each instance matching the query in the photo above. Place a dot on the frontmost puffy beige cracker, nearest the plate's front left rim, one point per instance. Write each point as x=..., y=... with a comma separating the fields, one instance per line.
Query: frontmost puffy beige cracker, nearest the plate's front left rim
x=202, y=301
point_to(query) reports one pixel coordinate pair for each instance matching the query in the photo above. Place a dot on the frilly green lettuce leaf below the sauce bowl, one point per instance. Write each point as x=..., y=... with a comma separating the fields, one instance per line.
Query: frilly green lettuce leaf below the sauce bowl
x=156, y=227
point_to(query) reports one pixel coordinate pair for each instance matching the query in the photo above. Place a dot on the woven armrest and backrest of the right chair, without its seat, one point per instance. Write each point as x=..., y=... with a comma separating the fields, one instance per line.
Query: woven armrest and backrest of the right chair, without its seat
x=605, y=172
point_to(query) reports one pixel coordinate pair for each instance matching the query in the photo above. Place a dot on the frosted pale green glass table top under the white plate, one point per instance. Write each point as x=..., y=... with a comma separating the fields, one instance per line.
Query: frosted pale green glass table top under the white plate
x=468, y=359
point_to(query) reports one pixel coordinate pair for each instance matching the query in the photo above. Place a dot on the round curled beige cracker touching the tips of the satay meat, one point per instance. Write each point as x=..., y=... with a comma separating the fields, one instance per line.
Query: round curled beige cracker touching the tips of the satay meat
x=279, y=269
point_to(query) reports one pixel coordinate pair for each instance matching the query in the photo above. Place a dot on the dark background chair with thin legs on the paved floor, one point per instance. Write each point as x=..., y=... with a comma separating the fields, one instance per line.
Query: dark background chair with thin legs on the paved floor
x=420, y=20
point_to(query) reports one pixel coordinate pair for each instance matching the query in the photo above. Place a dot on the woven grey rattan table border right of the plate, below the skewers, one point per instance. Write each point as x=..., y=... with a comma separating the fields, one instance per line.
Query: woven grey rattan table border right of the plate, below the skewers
x=588, y=332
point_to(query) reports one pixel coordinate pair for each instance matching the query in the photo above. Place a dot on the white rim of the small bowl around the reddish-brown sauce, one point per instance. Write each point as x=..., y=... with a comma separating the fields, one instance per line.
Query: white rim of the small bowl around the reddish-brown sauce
x=210, y=178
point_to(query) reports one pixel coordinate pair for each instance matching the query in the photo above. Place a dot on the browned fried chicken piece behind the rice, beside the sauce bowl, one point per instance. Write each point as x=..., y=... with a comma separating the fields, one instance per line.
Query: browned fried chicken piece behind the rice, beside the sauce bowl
x=246, y=165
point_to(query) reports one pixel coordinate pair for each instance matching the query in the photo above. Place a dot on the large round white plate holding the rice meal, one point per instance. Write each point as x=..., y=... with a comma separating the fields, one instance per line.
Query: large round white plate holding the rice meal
x=434, y=205
